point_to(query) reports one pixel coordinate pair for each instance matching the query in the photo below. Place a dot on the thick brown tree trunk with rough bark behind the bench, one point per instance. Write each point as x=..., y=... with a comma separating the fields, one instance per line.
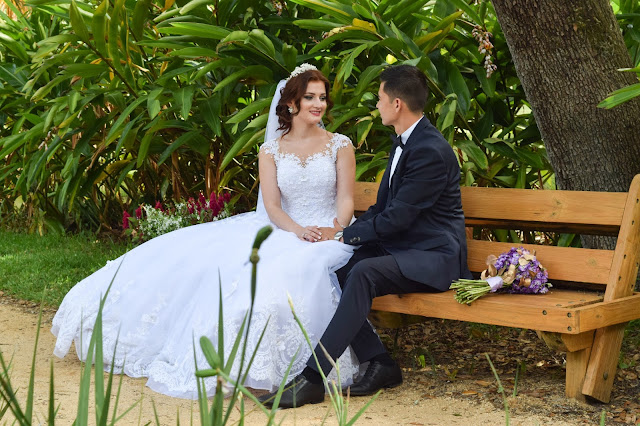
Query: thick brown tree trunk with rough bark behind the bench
x=566, y=54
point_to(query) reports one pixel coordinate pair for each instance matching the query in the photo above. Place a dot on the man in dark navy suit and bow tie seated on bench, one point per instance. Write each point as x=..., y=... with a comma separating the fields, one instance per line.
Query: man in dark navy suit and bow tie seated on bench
x=412, y=239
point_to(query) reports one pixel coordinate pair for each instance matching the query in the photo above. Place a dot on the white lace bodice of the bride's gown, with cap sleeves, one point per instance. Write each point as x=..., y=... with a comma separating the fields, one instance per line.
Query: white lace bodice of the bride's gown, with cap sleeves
x=308, y=186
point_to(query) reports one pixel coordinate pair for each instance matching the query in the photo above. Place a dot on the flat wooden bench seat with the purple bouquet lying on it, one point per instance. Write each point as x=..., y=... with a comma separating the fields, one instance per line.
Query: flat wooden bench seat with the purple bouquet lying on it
x=544, y=312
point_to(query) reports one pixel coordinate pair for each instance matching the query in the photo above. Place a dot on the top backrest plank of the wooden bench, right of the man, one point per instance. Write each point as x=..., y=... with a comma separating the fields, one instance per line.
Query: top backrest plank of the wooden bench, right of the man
x=562, y=207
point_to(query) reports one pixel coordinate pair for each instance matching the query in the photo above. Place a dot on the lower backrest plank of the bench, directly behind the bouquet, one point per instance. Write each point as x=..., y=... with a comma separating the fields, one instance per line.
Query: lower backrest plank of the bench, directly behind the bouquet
x=562, y=263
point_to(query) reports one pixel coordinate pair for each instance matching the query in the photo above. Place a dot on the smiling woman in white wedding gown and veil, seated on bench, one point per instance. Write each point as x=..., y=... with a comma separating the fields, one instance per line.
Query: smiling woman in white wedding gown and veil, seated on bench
x=166, y=292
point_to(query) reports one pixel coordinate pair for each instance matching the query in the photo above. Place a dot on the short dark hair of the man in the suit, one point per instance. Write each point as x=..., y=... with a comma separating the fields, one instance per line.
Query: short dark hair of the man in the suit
x=407, y=83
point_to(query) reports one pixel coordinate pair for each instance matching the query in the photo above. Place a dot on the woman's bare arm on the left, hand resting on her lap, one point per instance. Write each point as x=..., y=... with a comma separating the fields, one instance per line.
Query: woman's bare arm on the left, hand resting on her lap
x=272, y=201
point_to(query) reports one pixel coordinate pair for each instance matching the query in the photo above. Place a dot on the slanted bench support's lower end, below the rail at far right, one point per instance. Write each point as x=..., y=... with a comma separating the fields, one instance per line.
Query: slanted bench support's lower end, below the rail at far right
x=601, y=369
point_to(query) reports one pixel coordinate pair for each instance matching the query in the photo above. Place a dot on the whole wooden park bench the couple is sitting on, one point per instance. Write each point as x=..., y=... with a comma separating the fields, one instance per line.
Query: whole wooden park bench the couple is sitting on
x=593, y=295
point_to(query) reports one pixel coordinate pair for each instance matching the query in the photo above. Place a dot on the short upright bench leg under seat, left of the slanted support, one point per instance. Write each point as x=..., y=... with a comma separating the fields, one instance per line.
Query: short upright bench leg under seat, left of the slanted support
x=578, y=347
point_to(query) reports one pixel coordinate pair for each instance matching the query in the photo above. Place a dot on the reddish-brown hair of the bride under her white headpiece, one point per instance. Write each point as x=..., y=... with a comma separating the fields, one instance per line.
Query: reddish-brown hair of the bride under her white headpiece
x=294, y=90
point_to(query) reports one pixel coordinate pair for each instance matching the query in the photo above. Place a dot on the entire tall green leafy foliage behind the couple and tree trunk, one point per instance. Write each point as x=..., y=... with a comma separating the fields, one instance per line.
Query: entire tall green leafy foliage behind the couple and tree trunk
x=107, y=104
